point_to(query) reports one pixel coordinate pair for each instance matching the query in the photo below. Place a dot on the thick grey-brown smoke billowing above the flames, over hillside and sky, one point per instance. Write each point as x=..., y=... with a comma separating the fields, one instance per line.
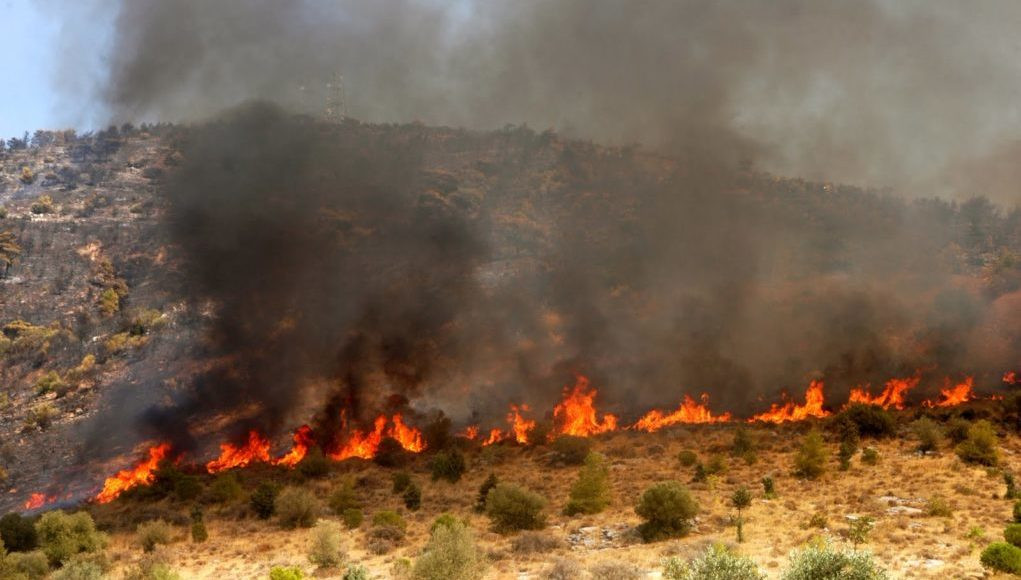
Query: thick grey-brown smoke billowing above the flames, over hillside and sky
x=352, y=263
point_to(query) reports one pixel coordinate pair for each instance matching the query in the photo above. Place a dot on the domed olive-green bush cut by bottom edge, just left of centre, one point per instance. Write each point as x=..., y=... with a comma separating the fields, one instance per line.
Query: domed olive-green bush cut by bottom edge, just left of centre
x=451, y=555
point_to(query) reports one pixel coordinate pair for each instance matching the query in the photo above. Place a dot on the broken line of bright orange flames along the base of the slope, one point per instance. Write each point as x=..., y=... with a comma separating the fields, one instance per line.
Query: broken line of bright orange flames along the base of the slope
x=576, y=415
